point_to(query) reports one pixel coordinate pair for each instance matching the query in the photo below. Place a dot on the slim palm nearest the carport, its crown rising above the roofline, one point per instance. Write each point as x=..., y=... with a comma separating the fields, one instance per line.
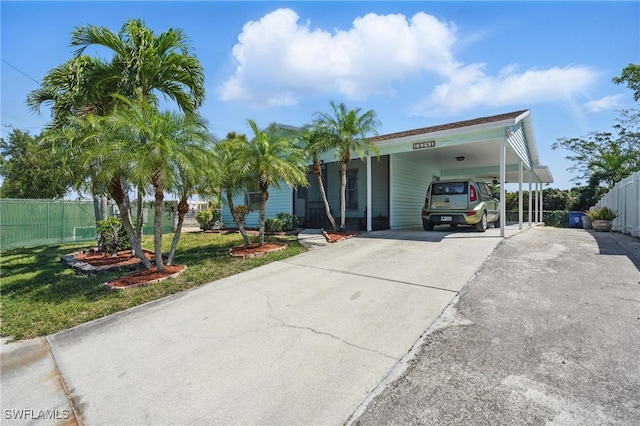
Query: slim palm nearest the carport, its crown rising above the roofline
x=348, y=130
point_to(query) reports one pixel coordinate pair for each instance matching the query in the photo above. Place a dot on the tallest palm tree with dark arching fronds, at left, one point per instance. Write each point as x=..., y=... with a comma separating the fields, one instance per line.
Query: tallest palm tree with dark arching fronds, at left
x=144, y=65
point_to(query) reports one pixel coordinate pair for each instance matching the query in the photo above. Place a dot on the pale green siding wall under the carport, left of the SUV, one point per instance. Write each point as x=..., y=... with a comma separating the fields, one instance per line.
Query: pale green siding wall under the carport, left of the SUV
x=410, y=179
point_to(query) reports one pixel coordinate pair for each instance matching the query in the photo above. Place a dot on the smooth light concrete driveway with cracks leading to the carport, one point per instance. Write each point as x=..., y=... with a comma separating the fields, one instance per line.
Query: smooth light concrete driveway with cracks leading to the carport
x=300, y=341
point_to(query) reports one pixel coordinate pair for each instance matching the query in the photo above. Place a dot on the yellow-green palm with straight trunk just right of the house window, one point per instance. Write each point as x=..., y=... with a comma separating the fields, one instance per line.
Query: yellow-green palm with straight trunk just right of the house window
x=272, y=158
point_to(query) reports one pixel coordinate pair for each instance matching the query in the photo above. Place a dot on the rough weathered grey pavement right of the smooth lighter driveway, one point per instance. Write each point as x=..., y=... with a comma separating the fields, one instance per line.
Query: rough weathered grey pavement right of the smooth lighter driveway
x=547, y=333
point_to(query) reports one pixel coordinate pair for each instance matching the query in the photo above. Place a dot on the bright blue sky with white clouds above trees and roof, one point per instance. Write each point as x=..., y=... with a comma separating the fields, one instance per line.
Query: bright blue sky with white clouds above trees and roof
x=416, y=64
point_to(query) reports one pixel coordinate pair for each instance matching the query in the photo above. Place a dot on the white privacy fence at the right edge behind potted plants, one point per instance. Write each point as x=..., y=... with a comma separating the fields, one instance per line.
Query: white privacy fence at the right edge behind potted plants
x=625, y=198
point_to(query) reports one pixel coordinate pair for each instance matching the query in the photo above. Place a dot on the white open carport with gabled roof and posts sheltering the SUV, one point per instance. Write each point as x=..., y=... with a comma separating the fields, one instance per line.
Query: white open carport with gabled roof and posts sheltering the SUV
x=500, y=149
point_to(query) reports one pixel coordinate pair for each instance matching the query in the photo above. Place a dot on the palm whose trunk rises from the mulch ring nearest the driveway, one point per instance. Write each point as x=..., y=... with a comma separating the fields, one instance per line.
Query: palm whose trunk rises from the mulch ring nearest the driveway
x=160, y=147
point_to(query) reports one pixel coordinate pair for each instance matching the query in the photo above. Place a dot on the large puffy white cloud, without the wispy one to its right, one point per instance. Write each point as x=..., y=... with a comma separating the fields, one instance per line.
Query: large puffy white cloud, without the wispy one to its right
x=280, y=60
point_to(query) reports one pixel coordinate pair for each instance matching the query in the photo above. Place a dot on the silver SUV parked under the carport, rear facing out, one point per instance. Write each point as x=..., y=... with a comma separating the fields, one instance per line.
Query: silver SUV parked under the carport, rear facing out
x=460, y=202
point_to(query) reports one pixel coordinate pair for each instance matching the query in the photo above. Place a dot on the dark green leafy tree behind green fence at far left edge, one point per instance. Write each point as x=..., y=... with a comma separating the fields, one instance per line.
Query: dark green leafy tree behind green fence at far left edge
x=30, y=168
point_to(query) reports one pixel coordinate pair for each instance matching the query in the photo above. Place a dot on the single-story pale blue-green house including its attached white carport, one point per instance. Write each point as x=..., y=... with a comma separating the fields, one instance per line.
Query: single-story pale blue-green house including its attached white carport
x=388, y=191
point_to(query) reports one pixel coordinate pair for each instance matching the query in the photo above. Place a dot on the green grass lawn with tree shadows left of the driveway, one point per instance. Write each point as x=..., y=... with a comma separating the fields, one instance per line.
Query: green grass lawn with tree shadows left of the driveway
x=40, y=295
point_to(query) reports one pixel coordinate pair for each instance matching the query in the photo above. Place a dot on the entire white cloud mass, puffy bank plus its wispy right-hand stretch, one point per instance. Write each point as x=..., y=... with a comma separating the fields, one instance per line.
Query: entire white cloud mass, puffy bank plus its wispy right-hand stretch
x=279, y=61
